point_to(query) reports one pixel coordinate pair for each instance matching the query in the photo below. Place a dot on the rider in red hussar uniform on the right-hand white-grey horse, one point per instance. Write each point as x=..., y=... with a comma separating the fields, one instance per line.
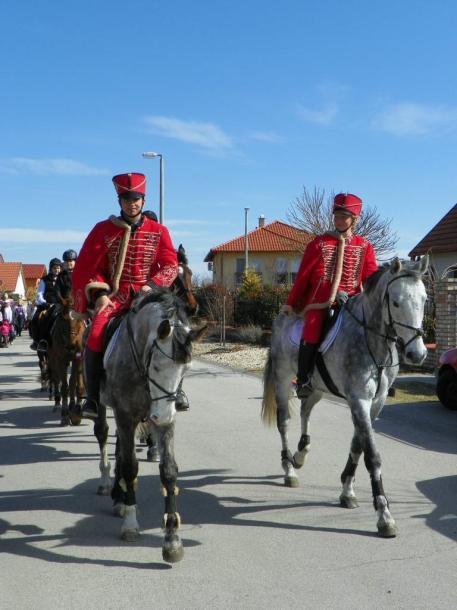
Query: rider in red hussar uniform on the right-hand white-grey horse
x=337, y=261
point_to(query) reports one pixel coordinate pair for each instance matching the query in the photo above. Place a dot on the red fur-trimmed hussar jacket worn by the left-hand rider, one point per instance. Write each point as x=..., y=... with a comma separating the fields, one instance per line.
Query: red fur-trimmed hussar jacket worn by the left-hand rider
x=121, y=258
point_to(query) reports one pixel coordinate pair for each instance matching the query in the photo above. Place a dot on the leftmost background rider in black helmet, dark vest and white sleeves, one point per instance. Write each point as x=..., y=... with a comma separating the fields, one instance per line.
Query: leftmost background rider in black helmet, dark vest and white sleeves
x=46, y=297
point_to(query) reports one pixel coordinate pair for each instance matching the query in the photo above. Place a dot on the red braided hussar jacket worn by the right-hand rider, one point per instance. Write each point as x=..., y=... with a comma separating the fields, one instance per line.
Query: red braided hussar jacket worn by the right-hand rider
x=317, y=269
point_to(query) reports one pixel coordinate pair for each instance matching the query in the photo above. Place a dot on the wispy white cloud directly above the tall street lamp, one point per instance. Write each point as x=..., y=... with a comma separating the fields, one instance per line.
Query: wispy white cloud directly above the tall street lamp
x=206, y=135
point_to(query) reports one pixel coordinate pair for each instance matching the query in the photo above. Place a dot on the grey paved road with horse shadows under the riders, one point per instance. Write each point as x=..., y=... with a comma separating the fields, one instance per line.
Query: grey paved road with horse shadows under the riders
x=249, y=541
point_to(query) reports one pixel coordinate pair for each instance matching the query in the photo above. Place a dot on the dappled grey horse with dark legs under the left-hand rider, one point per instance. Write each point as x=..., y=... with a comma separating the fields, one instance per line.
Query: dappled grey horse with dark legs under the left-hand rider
x=144, y=364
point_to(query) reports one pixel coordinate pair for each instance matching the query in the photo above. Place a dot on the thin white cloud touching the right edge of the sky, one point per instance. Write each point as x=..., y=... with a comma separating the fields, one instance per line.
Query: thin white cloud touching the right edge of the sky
x=410, y=119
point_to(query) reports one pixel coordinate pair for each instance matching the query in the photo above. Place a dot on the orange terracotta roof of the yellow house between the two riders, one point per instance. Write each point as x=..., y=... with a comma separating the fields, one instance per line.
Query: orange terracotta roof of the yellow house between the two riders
x=276, y=236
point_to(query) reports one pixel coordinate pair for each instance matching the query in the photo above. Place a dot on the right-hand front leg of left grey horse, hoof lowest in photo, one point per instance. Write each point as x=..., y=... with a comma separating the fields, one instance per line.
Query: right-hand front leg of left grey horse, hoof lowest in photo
x=172, y=549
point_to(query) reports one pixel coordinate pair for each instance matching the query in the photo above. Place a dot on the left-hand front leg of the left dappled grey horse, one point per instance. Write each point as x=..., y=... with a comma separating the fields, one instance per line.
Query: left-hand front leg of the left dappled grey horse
x=130, y=529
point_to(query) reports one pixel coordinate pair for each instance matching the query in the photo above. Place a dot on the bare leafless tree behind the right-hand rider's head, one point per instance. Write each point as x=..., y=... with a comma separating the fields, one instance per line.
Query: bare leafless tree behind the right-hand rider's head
x=313, y=212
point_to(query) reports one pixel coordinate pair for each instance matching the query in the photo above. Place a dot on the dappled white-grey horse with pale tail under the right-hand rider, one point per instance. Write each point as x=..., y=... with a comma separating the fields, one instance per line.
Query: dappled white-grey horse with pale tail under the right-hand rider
x=378, y=326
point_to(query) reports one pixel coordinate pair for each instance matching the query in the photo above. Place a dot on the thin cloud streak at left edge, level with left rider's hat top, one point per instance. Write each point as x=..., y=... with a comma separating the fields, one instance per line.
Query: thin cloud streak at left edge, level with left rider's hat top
x=42, y=167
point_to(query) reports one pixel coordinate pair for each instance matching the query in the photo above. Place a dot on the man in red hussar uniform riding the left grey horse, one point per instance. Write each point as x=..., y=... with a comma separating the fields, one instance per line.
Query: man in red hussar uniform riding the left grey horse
x=121, y=257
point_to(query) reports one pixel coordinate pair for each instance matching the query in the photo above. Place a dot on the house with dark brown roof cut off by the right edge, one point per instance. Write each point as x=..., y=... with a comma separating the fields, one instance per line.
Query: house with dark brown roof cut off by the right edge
x=441, y=244
